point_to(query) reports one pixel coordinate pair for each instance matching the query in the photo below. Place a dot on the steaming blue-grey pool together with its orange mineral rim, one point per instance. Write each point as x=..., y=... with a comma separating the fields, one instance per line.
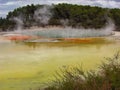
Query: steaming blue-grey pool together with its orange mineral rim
x=57, y=34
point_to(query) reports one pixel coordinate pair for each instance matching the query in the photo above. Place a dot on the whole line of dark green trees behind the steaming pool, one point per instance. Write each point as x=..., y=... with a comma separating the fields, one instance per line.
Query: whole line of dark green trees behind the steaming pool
x=76, y=16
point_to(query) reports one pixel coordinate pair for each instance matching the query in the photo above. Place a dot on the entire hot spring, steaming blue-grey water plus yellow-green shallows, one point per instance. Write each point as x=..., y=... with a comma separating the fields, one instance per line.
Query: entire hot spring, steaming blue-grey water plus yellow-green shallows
x=27, y=63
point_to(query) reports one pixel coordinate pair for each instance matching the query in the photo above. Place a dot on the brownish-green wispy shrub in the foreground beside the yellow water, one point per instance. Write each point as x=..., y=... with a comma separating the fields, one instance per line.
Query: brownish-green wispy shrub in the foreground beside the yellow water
x=107, y=78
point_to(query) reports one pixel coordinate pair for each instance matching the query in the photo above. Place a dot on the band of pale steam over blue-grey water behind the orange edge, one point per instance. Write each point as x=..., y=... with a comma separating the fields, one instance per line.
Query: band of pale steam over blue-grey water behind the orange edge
x=72, y=32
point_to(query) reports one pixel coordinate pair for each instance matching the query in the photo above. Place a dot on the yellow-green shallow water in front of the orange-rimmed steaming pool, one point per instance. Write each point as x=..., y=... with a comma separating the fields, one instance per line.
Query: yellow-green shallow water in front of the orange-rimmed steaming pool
x=27, y=65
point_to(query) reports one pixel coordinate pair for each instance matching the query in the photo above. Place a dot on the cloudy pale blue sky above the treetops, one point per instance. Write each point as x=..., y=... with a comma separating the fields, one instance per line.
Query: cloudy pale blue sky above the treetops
x=10, y=5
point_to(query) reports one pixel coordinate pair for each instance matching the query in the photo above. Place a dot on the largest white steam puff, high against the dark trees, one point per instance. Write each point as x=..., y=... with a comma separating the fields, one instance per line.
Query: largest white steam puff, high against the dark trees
x=43, y=15
